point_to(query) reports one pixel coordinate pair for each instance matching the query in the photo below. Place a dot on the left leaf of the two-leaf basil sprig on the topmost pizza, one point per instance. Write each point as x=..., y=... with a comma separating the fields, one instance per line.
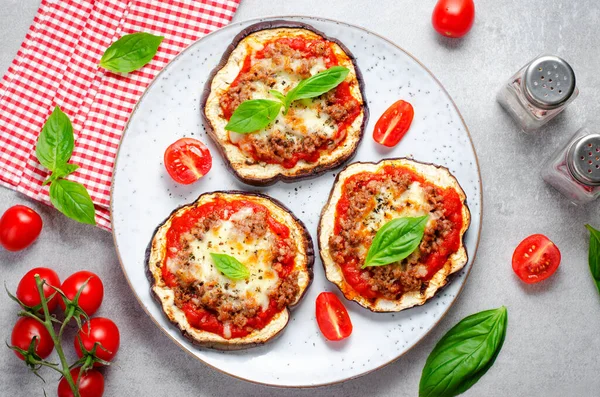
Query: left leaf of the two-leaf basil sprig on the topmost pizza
x=253, y=115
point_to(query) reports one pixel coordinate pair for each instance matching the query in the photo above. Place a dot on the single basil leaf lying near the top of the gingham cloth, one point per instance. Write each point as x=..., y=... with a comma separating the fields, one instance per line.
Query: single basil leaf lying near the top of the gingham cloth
x=130, y=52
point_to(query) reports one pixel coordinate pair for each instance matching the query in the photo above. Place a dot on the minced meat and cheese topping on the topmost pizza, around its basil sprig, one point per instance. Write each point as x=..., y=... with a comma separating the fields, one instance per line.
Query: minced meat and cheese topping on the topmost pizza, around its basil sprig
x=310, y=126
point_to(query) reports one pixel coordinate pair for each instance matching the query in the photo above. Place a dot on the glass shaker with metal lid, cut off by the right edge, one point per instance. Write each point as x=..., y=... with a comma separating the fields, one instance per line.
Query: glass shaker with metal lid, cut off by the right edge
x=574, y=170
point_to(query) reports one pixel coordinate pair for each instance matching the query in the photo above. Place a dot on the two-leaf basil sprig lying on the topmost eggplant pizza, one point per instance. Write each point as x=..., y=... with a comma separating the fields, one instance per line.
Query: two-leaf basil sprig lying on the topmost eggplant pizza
x=255, y=114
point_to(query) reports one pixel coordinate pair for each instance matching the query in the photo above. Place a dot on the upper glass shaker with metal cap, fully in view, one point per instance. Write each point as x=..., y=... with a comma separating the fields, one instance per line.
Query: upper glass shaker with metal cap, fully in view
x=539, y=91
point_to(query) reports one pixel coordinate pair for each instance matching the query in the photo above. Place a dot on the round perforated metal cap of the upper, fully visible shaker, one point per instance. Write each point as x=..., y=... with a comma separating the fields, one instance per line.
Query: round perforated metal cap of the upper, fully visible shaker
x=549, y=82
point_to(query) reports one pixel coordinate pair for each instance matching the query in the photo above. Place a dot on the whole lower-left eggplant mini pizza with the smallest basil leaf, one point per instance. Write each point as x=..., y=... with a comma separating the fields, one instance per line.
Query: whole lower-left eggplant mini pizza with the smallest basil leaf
x=213, y=303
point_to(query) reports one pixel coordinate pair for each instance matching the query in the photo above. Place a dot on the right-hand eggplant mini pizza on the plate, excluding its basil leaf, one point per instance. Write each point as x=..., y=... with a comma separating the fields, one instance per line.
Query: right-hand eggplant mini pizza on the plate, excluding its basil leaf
x=364, y=198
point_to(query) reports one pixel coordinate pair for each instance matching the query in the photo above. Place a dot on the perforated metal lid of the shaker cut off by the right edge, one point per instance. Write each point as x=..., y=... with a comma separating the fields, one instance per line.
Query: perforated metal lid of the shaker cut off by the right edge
x=583, y=160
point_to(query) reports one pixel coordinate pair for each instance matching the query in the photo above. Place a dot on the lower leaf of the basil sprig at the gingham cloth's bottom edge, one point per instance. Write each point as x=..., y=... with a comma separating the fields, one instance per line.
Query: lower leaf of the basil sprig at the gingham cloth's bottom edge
x=73, y=200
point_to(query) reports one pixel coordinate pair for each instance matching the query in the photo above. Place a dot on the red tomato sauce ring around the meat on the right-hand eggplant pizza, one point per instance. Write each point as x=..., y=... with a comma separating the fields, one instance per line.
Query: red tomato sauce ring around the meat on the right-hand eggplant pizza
x=452, y=205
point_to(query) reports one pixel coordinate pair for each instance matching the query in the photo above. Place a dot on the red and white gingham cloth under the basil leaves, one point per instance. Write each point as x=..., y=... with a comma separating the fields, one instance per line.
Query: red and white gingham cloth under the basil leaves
x=57, y=64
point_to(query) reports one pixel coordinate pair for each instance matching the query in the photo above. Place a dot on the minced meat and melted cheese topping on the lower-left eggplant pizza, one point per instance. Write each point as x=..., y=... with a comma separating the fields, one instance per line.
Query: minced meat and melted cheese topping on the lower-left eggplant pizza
x=245, y=234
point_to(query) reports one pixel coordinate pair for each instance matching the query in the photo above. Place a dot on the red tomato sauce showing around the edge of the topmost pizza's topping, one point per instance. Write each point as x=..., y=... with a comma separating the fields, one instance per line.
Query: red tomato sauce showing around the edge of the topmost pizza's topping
x=308, y=48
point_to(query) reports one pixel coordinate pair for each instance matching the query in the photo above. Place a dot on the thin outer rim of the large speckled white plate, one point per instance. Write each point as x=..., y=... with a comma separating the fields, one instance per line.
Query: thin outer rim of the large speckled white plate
x=472, y=256
